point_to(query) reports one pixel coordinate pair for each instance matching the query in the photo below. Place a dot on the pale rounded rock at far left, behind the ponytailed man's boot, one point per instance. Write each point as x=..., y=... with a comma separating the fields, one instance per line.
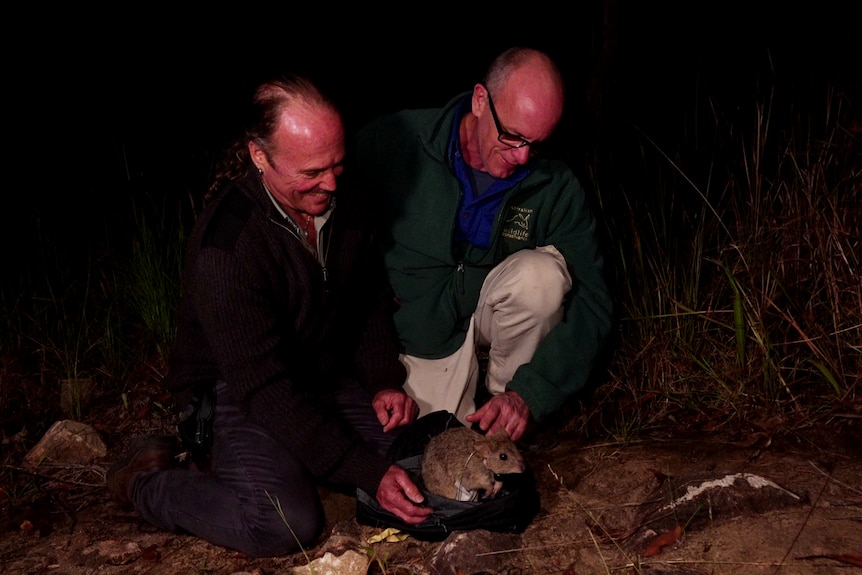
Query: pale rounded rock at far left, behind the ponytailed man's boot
x=67, y=441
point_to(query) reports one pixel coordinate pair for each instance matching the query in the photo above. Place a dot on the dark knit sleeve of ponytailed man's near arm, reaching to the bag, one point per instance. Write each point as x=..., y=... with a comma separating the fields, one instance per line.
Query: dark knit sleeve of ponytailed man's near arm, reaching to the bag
x=263, y=364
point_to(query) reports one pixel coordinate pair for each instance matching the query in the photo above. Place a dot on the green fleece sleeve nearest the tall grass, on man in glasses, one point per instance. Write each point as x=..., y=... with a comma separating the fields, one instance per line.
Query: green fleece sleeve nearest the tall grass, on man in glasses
x=564, y=359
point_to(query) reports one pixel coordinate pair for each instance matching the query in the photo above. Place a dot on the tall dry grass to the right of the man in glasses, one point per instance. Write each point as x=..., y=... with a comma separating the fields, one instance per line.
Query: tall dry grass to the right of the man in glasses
x=740, y=296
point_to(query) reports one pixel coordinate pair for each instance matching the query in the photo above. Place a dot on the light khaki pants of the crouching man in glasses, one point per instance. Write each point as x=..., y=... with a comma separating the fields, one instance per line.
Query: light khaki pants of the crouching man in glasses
x=521, y=300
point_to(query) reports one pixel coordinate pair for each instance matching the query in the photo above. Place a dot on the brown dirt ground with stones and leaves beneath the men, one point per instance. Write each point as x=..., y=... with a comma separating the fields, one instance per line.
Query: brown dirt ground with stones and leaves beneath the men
x=752, y=502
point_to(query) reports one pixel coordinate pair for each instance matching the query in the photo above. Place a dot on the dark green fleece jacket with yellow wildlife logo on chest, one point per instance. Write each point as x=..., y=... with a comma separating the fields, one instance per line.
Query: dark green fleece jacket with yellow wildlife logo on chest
x=403, y=157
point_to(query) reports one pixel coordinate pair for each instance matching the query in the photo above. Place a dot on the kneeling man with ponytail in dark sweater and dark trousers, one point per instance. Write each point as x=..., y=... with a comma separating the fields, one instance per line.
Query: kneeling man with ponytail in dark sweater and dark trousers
x=286, y=320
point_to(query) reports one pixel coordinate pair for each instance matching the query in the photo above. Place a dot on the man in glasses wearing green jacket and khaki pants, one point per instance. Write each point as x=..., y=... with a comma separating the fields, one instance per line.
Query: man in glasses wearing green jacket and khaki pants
x=492, y=248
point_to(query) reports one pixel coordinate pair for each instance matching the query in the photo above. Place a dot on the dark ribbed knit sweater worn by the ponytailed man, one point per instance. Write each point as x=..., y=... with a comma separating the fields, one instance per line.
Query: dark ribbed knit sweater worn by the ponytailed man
x=261, y=313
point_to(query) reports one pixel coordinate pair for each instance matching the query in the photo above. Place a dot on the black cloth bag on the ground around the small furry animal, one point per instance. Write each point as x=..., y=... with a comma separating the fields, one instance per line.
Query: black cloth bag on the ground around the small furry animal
x=511, y=511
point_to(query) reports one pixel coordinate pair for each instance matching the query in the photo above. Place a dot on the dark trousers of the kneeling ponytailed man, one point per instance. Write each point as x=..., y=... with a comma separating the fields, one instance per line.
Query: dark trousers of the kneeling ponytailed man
x=254, y=480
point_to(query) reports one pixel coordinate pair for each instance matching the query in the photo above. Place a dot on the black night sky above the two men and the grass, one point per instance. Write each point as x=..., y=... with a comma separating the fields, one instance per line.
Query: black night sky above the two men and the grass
x=107, y=105
